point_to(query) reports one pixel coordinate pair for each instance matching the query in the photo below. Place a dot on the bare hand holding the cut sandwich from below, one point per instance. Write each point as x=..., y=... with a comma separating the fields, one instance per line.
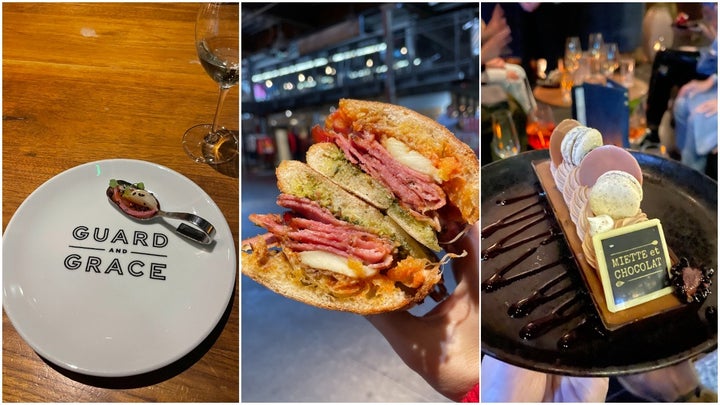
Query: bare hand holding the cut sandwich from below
x=443, y=345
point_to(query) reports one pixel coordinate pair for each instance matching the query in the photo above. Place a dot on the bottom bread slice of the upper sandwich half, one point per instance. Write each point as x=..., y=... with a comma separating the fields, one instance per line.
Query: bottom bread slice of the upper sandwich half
x=329, y=160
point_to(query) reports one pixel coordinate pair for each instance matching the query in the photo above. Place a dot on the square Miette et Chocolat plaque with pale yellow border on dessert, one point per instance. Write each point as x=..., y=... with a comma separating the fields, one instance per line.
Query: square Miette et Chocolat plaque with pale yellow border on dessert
x=634, y=264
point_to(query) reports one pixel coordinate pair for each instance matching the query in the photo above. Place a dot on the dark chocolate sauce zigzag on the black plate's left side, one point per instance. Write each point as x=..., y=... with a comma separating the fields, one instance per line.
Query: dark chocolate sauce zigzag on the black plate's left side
x=553, y=290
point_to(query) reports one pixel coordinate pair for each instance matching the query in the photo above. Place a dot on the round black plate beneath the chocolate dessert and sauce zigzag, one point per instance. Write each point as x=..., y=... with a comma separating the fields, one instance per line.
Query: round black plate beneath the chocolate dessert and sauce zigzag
x=575, y=343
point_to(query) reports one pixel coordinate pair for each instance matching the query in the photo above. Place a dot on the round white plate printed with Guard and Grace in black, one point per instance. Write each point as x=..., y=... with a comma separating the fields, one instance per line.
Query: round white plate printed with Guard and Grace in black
x=145, y=306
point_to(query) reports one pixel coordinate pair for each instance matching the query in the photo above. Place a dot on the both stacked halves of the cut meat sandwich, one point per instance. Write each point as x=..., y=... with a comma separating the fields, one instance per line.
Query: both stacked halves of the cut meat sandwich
x=347, y=241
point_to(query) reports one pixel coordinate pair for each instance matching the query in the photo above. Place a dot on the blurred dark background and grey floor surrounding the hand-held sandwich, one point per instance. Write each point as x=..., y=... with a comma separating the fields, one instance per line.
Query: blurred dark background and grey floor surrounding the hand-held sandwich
x=298, y=60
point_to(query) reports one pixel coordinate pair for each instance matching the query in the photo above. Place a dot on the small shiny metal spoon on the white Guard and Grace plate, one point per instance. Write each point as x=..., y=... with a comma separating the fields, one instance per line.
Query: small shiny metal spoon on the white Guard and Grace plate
x=201, y=230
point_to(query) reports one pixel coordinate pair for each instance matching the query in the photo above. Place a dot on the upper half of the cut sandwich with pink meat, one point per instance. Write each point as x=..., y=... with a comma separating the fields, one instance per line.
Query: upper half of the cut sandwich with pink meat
x=403, y=163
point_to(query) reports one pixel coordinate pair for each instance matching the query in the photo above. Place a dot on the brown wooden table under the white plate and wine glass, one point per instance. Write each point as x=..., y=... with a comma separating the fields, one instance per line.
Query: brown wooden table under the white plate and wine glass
x=86, y=82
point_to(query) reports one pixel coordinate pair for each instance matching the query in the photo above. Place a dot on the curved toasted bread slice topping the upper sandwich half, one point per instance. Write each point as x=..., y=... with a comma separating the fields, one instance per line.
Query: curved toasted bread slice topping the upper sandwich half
x=426, y=136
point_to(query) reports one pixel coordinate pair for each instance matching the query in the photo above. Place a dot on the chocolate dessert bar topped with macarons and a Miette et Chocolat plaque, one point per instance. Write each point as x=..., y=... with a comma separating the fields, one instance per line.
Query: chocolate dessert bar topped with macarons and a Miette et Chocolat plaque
x=601, y=188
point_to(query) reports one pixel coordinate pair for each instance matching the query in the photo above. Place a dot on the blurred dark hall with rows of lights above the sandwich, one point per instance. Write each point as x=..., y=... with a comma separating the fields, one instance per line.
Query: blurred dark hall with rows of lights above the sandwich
x=299, y=59
